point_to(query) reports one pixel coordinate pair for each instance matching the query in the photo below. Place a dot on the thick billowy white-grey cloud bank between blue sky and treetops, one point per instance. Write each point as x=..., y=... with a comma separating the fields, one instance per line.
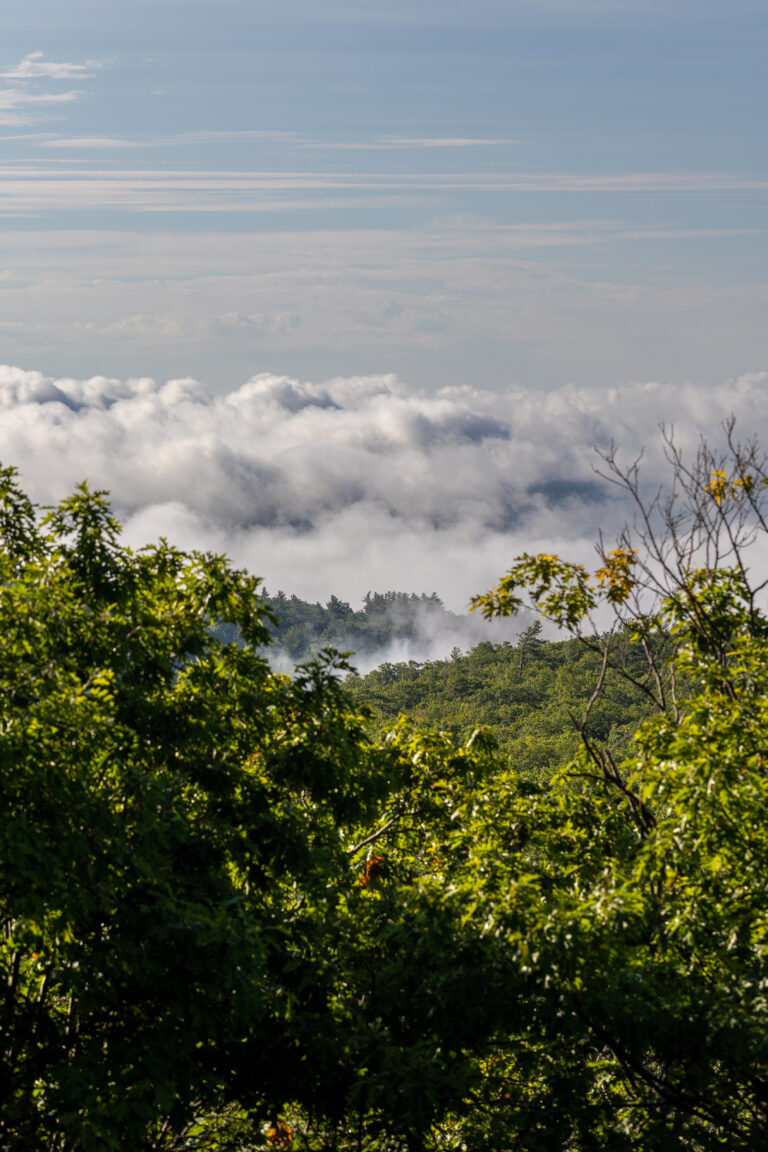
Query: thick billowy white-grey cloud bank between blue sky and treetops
x=359, y=483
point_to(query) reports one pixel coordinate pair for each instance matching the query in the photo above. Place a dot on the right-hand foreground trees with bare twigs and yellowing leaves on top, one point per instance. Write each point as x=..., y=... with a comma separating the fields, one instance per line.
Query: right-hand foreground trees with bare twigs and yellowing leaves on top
x=634, y=895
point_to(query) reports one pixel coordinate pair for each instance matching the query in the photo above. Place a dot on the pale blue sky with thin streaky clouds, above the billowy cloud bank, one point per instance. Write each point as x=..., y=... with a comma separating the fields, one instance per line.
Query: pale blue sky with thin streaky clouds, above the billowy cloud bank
x=498, y=194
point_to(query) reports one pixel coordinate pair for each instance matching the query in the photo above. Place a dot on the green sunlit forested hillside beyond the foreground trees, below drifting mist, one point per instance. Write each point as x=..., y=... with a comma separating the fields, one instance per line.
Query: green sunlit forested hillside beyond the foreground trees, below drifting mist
x=531, y=696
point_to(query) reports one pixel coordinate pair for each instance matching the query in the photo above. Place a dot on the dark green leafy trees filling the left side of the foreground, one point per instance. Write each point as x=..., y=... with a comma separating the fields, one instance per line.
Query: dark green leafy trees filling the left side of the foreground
x=200, y=924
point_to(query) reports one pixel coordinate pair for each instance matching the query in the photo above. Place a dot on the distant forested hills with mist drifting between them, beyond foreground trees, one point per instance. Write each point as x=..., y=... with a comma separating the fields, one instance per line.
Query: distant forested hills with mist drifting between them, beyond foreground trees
x=531, y=694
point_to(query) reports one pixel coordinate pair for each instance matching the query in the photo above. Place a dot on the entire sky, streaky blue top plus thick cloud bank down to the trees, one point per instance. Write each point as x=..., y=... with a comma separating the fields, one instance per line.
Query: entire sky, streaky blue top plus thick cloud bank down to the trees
x=436, y=216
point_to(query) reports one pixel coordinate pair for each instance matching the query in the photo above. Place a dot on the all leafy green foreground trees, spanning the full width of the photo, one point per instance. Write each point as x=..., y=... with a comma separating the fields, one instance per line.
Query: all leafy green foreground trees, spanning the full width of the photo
x=248, y=911
